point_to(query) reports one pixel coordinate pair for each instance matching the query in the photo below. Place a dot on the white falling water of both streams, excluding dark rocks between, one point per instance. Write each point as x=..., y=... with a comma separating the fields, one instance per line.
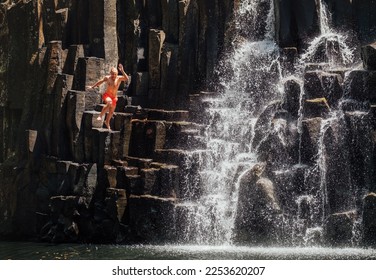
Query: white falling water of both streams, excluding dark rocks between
x=251, y=79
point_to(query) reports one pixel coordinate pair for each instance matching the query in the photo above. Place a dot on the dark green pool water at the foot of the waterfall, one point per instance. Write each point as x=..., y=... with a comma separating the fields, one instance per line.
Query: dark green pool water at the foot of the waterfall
x=44, y=251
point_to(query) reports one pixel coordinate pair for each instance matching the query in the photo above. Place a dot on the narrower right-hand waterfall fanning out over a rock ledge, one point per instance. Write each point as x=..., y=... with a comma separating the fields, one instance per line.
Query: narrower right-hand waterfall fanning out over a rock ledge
x=336, y=55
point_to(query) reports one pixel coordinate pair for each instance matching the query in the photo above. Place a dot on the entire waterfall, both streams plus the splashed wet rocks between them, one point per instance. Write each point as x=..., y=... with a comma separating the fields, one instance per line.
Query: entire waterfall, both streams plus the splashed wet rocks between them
x=248, y=124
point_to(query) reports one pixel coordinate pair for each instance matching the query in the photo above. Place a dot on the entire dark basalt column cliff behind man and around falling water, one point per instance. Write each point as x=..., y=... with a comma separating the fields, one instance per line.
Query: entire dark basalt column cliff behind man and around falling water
x=65, y=178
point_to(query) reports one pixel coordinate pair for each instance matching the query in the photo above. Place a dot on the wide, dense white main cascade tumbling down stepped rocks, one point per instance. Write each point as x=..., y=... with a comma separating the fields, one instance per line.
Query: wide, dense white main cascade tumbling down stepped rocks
x=232, y=119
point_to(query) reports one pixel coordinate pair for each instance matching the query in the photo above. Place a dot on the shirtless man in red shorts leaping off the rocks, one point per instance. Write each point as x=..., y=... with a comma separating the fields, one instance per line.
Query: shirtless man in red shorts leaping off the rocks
x=113, y=82
